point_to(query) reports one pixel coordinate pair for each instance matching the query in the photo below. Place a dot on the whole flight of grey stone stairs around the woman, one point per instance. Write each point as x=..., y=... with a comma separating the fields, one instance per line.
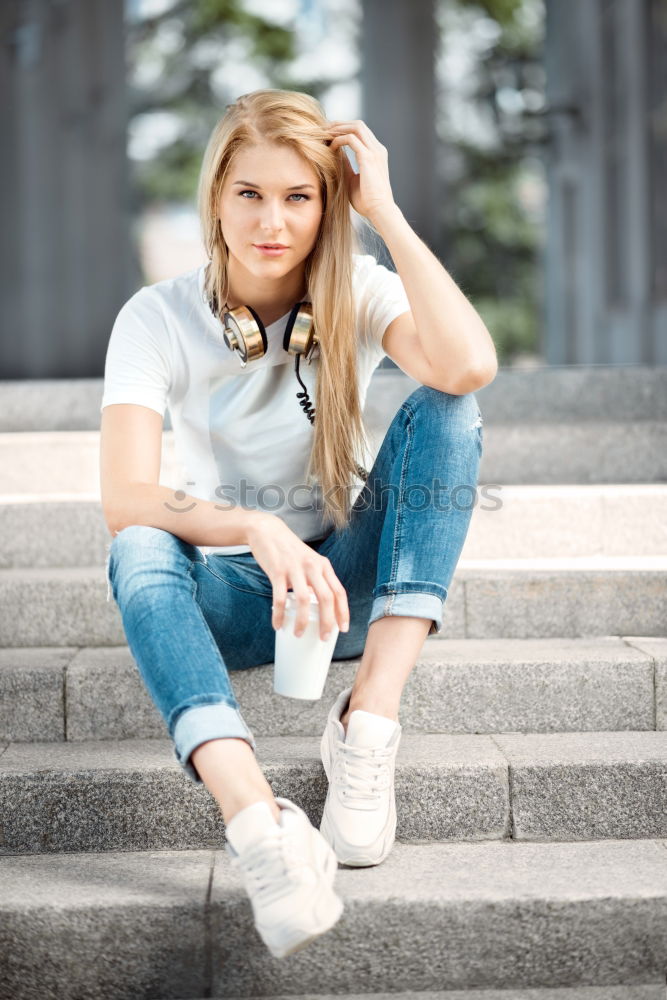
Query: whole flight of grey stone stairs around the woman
x=531, y=859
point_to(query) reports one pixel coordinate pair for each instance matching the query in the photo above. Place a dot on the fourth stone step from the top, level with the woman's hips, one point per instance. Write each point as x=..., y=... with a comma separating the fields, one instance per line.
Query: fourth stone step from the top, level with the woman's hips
x=501, y=598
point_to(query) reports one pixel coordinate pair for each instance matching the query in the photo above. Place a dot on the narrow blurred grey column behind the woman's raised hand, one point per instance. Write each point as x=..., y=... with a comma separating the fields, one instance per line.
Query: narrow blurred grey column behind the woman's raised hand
x=398, y=48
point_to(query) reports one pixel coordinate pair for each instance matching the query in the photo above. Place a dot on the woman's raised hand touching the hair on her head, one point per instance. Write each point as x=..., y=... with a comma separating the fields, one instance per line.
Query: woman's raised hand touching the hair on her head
x=369, y=190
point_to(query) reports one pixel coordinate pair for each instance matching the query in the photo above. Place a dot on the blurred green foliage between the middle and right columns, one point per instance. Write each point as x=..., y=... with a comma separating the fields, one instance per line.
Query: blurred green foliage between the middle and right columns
x=493, y=241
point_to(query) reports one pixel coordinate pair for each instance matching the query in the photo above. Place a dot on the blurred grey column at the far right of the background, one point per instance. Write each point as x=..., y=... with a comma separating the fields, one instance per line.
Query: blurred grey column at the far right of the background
x=606, y=253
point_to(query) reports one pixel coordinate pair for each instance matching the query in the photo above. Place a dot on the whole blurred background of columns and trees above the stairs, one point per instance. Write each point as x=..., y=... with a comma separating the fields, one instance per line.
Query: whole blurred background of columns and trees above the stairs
x=527, y=147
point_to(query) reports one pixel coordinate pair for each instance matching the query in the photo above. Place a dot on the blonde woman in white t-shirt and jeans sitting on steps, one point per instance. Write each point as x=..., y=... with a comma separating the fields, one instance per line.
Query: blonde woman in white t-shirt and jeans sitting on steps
x=200, y=577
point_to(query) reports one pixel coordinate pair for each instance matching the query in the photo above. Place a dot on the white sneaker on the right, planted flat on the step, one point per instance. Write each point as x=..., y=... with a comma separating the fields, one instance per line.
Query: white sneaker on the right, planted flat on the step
x=359, y=819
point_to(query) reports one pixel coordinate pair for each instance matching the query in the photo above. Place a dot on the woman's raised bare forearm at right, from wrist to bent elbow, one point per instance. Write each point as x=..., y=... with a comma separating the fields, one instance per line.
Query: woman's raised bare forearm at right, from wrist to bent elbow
x=450, y=329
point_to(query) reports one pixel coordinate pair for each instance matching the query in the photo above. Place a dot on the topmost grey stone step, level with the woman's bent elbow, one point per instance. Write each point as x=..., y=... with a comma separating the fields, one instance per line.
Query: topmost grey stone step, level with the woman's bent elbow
x=544, y=394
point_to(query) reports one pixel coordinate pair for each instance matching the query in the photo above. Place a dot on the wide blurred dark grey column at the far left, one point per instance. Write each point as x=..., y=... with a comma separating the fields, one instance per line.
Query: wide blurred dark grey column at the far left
x=65, y=252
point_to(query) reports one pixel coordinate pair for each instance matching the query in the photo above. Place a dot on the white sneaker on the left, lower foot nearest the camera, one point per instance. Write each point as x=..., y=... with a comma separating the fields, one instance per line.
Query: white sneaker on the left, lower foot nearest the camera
x=288, y=871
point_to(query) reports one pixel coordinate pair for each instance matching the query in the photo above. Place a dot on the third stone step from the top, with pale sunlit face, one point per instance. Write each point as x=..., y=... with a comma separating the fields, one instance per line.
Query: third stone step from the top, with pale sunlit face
x=39, y=530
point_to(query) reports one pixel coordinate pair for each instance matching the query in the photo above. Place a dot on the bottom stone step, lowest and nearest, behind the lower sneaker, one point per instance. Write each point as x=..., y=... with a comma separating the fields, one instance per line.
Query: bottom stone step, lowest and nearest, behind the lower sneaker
x=503, y=915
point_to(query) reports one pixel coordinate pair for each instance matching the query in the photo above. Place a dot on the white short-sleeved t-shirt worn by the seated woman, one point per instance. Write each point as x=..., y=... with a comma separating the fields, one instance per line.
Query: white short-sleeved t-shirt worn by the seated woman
x=240, y=434
